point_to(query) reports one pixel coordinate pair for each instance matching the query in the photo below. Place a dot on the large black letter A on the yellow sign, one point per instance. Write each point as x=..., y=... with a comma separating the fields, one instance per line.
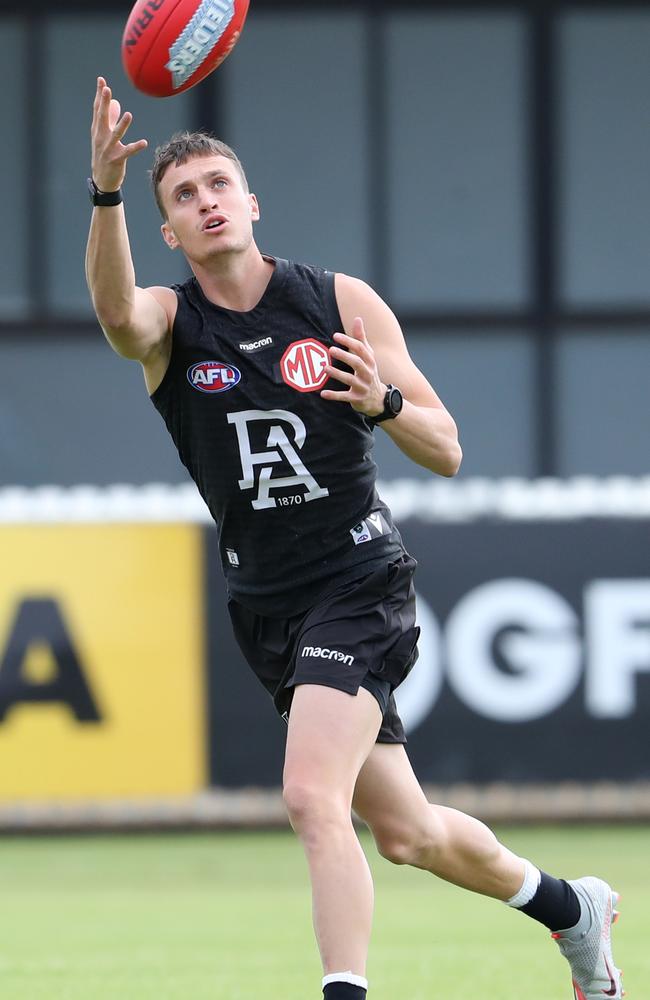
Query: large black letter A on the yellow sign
x=40, y=621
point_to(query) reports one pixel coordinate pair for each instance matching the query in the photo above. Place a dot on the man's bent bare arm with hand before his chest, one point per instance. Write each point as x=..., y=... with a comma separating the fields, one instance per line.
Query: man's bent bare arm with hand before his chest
x=373, y=348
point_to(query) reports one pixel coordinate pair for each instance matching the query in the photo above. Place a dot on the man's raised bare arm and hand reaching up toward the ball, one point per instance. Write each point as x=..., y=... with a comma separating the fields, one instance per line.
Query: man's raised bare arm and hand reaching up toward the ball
x=136, y=321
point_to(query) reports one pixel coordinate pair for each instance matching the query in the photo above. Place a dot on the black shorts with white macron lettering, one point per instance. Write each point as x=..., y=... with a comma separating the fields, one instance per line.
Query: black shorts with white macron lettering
x=360, y=635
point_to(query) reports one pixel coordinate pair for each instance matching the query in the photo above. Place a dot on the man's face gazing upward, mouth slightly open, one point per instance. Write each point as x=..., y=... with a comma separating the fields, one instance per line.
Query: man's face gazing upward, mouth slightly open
x=208, y=210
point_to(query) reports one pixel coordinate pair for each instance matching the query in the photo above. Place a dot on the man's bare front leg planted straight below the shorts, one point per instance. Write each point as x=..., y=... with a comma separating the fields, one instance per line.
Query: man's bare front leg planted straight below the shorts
x=330, y=736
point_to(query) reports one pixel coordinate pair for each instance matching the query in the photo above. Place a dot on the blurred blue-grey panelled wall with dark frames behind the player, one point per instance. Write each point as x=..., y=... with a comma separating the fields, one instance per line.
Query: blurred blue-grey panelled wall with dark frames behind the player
x=484, y=166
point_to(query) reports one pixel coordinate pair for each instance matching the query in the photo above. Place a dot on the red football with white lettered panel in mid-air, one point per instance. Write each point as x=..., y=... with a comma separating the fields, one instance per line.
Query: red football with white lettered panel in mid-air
x=169, y=46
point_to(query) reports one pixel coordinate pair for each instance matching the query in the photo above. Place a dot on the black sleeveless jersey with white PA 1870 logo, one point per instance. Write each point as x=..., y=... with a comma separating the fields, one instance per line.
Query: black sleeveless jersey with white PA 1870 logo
x=287, y=476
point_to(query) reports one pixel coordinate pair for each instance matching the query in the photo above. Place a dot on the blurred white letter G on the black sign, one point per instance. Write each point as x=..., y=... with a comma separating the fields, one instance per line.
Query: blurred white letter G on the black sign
x=535, y=631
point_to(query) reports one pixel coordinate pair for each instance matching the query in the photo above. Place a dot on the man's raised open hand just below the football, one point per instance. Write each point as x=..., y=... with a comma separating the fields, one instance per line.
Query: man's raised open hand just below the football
x=109, y=153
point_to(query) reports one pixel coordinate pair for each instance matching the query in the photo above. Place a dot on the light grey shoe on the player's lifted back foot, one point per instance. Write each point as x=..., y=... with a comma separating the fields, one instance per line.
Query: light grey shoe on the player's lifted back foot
x=587, y=947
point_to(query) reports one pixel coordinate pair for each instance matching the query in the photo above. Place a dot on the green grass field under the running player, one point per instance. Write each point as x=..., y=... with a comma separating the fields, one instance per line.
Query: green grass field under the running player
x=227, y=917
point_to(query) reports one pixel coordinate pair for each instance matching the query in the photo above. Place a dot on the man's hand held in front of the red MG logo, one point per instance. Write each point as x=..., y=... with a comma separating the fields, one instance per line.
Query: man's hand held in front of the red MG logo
x=365, y=391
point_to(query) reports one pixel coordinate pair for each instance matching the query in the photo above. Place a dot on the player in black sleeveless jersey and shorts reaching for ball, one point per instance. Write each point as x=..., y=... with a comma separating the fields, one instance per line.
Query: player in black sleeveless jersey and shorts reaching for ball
x=271, y=377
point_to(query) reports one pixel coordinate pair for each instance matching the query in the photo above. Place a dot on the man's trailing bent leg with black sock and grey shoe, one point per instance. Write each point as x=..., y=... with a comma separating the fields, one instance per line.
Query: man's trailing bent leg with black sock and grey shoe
x=460, y=849
